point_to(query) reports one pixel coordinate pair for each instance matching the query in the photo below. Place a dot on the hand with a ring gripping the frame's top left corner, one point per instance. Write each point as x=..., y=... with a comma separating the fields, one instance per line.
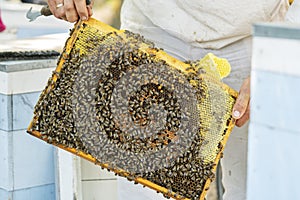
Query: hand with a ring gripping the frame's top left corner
x=70, y=10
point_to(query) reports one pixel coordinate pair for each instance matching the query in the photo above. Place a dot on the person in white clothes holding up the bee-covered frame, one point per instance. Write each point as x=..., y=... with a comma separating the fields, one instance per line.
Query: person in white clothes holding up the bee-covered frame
x=188, y=30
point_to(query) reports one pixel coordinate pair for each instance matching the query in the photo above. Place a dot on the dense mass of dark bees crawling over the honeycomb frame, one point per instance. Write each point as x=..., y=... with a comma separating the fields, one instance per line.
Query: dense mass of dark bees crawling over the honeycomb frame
x=128, y=110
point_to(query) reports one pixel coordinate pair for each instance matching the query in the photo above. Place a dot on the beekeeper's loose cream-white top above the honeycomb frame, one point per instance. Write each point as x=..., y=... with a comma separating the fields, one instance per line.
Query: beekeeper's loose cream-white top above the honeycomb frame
x=202, y=23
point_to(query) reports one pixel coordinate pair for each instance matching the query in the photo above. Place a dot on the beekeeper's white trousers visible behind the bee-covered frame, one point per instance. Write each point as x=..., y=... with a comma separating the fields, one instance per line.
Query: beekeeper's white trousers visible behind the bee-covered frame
x=234, y=162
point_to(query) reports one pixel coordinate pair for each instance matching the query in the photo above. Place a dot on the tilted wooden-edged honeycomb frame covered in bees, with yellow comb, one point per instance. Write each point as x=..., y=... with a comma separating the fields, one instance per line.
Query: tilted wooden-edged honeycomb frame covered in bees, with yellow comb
x=120, y=102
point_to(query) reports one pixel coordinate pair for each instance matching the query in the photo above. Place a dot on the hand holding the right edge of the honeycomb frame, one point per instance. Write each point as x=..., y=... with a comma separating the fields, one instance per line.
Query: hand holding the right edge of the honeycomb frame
x=241, y=109
